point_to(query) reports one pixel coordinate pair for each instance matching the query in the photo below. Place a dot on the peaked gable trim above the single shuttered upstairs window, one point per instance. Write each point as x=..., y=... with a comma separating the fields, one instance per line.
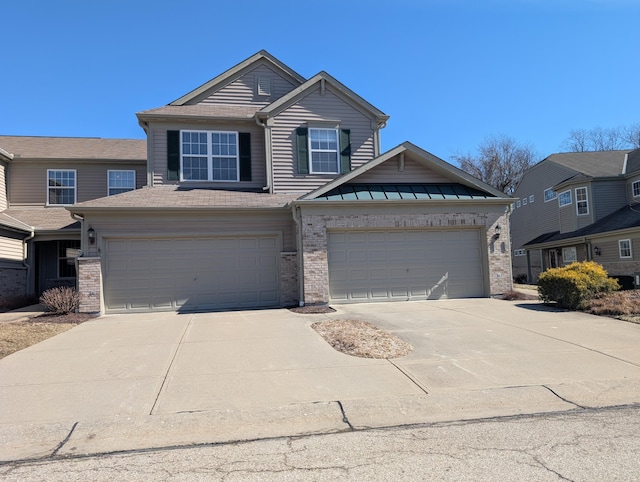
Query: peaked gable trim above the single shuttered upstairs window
x=311, y=86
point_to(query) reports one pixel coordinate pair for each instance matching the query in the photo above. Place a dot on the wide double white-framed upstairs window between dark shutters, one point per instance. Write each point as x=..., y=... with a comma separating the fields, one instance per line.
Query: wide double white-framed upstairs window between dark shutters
x=209, y=156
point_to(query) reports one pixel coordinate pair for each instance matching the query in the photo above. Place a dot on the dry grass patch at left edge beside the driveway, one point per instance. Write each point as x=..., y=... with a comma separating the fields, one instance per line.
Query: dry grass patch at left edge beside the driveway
x=17, y=335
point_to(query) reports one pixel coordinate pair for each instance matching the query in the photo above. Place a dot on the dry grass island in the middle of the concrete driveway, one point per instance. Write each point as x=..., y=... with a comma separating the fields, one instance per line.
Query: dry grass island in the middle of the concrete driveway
x=361, y=339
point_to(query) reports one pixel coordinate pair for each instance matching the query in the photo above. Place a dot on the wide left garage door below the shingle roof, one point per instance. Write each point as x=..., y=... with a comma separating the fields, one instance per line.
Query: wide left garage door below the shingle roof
x=191, y=273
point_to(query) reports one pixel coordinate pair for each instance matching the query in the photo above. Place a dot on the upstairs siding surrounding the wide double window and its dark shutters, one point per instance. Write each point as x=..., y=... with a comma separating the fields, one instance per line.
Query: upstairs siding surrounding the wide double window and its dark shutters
x=158, y=153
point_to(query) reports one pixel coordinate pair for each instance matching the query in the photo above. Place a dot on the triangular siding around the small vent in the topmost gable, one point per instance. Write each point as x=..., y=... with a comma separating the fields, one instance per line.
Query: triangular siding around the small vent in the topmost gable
x=243, y=90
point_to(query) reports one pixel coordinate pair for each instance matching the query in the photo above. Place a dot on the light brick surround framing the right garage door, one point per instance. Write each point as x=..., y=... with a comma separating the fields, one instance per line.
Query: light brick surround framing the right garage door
x=314, y=250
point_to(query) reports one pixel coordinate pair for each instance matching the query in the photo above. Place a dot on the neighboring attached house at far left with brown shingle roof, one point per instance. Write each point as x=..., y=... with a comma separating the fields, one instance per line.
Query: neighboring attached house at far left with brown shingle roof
x=39, y=177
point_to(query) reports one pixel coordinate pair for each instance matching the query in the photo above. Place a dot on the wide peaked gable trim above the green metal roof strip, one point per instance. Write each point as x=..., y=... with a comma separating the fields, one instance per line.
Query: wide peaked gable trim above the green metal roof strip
x=418, y=155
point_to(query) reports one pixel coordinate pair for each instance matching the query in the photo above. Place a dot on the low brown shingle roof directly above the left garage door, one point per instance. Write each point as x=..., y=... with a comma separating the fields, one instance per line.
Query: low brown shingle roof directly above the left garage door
x=171, y=197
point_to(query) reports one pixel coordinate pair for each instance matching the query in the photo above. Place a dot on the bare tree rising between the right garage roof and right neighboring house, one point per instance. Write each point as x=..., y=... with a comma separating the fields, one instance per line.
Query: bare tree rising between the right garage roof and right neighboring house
x=500, y=162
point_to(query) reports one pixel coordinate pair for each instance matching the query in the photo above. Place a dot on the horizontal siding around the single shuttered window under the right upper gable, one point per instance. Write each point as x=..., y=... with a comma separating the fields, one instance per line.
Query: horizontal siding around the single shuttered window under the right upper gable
x=316, y=108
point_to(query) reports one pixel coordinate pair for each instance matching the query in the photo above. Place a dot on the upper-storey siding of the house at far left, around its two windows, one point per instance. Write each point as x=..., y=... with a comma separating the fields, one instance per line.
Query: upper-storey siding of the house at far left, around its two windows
x=29, y=179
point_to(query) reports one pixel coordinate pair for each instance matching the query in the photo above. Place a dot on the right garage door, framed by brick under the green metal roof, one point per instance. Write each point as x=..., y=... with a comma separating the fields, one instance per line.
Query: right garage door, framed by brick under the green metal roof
x=405, y=265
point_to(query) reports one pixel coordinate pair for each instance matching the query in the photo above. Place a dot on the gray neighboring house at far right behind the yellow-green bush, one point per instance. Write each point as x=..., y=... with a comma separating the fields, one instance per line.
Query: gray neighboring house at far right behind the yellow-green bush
x=575, y=207
